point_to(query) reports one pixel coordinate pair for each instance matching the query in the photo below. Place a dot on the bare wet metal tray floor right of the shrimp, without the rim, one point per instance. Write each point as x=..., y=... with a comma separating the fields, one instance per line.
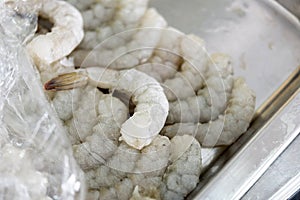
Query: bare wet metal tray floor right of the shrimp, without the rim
x=263, y=40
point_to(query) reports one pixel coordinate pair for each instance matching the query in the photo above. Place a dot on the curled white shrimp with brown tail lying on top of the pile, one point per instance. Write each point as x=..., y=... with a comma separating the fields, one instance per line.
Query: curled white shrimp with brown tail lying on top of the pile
x=151, y=104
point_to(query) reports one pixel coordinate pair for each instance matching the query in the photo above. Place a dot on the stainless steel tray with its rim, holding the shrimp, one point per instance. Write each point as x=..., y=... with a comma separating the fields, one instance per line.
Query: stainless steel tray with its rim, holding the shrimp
x=264, y=40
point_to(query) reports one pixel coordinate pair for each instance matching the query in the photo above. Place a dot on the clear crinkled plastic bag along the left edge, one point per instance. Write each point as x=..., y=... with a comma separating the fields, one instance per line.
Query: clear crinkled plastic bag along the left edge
x=35, y=155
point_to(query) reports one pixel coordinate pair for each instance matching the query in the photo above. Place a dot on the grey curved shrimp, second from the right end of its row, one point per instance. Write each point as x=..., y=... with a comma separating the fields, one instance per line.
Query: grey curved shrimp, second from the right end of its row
x=211, y=101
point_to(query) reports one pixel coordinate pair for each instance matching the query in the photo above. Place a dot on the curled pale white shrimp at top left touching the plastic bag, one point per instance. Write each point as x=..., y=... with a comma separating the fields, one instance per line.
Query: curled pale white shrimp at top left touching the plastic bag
x=66, y=34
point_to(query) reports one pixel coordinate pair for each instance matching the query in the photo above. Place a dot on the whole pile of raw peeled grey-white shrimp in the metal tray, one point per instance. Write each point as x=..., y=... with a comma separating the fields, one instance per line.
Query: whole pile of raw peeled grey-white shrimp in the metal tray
x=138, y=98
